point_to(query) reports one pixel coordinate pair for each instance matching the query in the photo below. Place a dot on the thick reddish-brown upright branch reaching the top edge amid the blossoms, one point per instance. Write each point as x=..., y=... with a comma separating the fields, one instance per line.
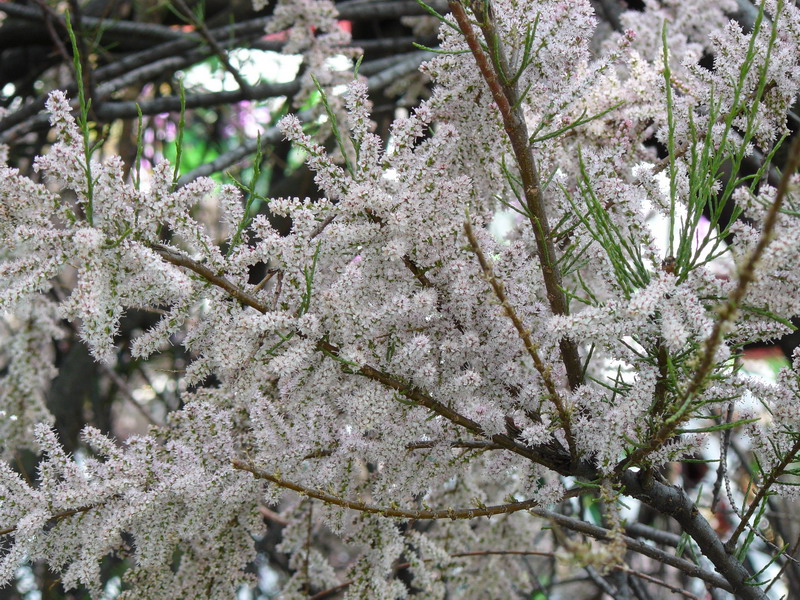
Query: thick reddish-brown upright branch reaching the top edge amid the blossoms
x=509, y=103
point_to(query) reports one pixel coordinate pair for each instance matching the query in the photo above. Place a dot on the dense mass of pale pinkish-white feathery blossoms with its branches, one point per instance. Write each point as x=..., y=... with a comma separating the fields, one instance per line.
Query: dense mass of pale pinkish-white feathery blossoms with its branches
x=402, y=360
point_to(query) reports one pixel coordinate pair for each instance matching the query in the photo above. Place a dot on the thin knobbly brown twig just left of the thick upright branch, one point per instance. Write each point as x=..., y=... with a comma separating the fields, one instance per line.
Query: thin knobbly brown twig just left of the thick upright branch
x=525, y=335
